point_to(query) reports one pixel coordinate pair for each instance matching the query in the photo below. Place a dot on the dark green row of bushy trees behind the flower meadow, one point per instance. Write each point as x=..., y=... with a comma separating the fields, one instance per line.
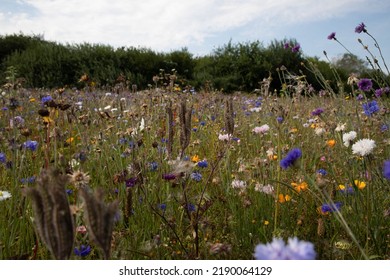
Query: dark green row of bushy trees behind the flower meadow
x=231, y=67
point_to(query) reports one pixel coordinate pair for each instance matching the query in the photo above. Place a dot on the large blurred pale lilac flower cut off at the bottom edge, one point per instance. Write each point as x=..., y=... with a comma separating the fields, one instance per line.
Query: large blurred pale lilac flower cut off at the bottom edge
x=295, y=249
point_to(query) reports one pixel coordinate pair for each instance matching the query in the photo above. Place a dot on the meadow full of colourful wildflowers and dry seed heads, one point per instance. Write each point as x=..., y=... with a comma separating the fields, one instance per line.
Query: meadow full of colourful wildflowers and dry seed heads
x=176, y=172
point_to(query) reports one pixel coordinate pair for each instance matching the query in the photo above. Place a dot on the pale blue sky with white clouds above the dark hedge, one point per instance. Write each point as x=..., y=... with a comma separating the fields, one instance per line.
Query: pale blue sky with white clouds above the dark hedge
x=201, y=26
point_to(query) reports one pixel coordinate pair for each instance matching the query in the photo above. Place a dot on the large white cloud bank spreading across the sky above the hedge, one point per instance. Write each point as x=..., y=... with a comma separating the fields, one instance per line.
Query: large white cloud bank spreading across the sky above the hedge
x=165, y=25
